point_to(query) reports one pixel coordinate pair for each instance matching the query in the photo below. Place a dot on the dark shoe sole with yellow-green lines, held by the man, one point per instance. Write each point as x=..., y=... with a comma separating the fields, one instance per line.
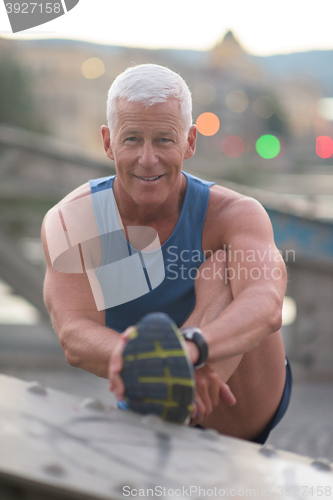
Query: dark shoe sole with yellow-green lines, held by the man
x=157, y=372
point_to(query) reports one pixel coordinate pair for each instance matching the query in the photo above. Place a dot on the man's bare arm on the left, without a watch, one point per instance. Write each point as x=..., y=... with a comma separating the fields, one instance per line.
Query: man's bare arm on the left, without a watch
x=86, y=341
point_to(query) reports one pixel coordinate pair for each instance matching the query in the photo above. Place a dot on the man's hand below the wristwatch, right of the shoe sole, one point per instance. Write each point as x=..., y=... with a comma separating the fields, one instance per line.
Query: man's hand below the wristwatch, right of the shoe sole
x=210, y=390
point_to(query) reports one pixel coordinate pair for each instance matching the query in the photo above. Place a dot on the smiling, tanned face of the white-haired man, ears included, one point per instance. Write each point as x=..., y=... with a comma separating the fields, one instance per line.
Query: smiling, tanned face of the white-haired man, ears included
x=149, y=146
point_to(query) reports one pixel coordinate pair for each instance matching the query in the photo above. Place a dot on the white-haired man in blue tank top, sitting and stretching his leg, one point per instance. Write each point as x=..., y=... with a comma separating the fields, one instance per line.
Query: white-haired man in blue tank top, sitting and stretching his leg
x=156, y=213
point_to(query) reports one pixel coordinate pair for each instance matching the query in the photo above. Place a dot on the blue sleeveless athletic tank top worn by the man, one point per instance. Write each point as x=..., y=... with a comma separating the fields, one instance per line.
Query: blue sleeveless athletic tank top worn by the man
x=182, y=256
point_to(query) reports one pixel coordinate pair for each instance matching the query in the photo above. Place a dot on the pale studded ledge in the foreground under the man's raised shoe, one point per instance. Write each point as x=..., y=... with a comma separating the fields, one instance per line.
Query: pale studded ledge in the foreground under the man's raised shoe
x=68, y=448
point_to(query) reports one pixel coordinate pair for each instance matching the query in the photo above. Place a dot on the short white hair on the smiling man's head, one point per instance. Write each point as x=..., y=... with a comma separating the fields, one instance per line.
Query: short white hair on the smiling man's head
x=149, y=84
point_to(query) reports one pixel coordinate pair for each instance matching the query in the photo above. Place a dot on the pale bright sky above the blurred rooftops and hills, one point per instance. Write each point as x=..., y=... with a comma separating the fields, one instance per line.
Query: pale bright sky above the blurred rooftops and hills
x=263, y=27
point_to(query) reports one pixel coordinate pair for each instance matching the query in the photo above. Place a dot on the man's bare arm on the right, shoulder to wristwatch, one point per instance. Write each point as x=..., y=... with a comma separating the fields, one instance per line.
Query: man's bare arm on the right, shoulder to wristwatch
x=257, y=276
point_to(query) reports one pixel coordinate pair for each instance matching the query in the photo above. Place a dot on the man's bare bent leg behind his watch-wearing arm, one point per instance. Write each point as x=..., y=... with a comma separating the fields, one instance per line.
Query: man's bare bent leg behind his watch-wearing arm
x=256, y=378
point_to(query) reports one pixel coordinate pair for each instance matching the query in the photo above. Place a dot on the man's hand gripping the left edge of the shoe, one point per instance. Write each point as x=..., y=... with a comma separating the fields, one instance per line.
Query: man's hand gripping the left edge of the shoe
x=116, y=365
